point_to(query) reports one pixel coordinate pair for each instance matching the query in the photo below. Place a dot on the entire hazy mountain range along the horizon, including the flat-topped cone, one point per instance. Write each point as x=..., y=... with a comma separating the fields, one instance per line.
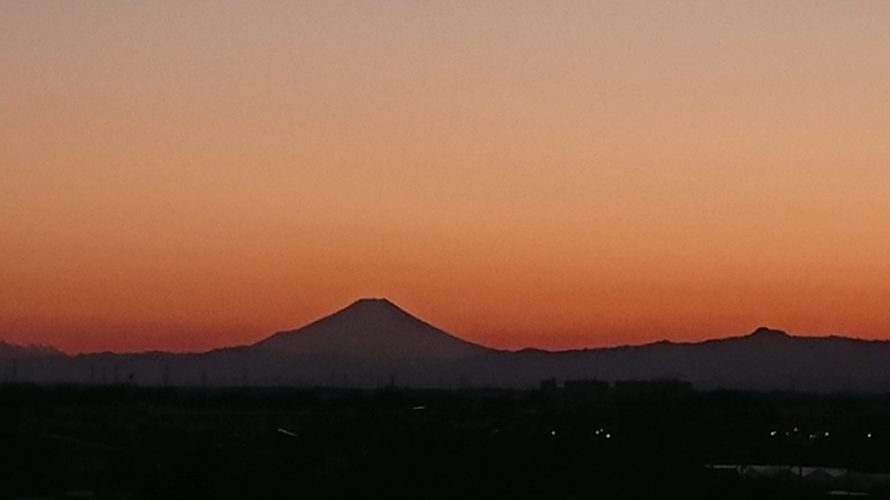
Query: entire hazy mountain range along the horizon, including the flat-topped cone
x=373, y=343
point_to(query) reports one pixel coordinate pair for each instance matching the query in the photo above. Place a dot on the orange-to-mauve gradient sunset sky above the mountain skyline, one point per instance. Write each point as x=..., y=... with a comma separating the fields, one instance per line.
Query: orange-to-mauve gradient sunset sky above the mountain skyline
x=184, y=175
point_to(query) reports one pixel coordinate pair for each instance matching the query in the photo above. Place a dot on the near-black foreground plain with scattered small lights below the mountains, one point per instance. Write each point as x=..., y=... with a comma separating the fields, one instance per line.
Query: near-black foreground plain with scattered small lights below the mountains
x=584, y=441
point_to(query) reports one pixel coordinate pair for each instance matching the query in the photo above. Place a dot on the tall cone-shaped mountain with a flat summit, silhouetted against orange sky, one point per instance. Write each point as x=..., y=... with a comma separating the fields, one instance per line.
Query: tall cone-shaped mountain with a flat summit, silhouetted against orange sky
x=371, y=329
